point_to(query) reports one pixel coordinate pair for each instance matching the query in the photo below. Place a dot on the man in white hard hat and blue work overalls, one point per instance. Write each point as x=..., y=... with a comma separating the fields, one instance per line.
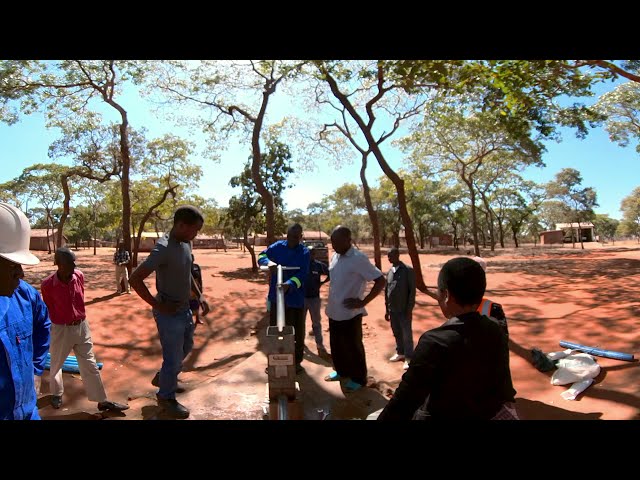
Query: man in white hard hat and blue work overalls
x=24, y=320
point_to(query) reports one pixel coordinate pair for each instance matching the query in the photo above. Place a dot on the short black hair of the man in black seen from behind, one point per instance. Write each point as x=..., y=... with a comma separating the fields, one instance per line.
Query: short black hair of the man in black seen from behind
x=464, y=278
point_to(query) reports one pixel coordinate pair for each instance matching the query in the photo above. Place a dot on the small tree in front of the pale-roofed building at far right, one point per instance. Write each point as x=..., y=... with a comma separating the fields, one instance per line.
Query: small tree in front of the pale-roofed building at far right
x=580, y=201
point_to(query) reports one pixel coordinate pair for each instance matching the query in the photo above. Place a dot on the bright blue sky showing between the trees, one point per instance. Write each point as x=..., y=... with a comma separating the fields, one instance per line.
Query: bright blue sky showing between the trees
x=612, y=170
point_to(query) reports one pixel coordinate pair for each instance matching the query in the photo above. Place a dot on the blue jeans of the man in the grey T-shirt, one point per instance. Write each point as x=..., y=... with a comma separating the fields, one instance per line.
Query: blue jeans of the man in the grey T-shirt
x=176, y=337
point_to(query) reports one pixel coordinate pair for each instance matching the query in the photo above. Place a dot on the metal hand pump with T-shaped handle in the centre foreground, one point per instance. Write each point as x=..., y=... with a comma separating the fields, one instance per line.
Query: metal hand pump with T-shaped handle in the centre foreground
x=280, y=348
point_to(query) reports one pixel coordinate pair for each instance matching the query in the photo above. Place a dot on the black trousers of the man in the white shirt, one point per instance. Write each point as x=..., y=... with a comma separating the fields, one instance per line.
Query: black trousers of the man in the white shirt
x=347, y=349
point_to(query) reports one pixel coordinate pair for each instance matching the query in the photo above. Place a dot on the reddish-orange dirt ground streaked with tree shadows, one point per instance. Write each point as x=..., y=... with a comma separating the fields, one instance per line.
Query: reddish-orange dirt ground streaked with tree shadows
x=584, y=296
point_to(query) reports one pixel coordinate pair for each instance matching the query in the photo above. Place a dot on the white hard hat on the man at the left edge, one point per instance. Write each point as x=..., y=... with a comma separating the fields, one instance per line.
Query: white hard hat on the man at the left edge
x=15, y=234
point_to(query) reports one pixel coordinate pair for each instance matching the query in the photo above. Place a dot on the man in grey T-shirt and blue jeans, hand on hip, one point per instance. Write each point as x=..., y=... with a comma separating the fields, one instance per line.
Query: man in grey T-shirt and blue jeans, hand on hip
x=171, y=260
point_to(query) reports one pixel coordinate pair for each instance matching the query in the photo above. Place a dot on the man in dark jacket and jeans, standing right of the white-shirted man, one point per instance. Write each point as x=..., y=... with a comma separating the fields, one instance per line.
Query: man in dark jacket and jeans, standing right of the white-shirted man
x=400, y=298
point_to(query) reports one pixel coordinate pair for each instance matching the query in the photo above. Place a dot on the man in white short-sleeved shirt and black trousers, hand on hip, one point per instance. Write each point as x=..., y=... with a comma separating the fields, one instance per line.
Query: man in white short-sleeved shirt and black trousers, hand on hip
x=350, y=271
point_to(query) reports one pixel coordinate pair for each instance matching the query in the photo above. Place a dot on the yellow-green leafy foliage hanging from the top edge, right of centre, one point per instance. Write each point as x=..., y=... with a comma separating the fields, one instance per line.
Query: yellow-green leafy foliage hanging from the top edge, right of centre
x=525, y=94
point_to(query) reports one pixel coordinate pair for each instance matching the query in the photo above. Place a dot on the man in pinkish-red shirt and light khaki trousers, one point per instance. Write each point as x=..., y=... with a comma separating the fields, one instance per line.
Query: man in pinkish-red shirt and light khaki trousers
x=63, y=292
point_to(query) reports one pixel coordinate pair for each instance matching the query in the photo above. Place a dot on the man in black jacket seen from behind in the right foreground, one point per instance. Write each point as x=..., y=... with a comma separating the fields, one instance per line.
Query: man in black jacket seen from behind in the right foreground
x=459, y=370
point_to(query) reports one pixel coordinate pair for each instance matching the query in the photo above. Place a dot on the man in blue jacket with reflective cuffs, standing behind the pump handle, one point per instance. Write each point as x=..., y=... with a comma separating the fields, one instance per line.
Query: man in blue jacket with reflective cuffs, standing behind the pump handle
x=289, y=253
